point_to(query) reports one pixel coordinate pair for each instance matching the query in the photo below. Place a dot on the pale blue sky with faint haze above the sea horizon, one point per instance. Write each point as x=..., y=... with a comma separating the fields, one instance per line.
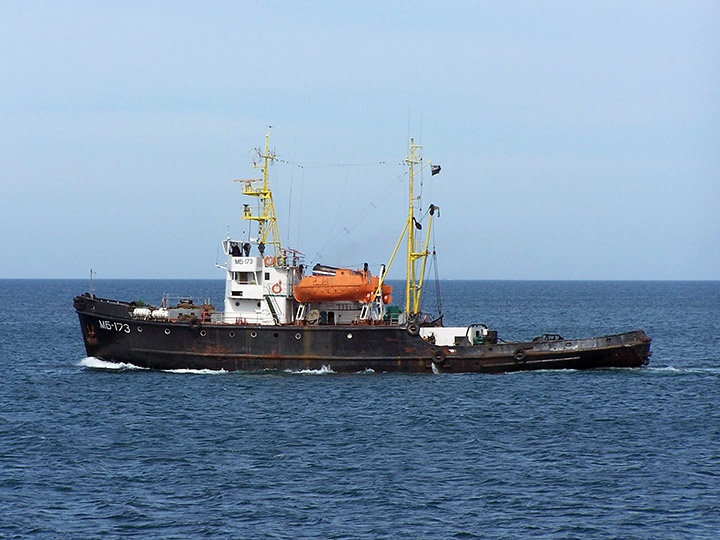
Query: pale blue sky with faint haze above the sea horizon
x=578, y=140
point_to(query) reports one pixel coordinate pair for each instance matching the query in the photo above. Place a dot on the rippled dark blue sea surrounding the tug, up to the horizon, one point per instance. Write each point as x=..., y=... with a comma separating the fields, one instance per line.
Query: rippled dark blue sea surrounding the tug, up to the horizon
x=87, y=451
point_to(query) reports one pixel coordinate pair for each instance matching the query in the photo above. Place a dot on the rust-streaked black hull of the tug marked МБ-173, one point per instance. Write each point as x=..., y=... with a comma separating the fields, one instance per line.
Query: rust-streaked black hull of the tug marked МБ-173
x=112, y=335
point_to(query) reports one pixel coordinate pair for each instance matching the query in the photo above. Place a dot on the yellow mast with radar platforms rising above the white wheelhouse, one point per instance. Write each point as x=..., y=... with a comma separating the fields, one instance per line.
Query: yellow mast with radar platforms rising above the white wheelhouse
x=267, y=221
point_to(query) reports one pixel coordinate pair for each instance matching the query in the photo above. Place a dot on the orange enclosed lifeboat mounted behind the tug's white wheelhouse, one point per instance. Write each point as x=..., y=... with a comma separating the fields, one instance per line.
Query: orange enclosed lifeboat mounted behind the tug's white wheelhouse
x=343, y=285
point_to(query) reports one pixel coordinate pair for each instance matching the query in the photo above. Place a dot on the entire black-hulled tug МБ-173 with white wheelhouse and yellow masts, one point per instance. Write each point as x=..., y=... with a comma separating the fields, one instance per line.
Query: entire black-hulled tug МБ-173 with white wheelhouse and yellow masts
x=277, y=318
